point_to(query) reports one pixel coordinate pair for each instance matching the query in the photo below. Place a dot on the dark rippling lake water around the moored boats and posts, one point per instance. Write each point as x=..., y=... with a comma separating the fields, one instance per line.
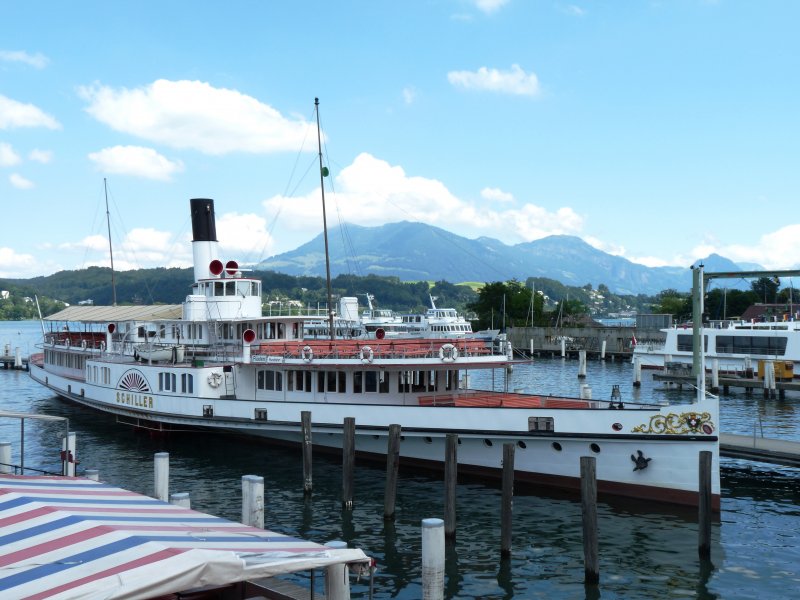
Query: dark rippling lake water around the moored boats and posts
x=644, y=552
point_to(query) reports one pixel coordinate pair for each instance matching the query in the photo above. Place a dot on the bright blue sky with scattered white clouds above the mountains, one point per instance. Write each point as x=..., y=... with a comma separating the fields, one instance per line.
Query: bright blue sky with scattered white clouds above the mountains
x=660, y=131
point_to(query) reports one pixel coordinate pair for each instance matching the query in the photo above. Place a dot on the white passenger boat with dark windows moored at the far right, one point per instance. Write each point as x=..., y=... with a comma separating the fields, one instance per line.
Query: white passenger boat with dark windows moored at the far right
x=735, y=345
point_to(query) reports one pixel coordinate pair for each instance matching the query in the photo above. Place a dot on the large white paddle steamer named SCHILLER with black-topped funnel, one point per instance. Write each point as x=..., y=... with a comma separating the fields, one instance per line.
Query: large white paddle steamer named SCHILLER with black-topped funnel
x=250, y=374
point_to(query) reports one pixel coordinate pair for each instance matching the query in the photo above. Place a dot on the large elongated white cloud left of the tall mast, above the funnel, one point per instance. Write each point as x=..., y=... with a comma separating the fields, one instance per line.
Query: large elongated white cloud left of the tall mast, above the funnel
x=196, y=115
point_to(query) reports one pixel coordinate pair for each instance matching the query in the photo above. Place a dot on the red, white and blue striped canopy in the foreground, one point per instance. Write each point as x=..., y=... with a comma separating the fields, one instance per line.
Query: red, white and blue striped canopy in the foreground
x=64, y=537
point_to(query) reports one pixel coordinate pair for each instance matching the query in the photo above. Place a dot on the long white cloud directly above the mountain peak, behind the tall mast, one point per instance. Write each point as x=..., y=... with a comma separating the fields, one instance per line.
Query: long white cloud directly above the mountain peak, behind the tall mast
x=370, y=192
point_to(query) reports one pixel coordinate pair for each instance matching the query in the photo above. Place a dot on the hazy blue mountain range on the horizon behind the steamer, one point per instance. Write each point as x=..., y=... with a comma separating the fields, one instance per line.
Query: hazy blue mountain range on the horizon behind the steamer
x=415, y=251
